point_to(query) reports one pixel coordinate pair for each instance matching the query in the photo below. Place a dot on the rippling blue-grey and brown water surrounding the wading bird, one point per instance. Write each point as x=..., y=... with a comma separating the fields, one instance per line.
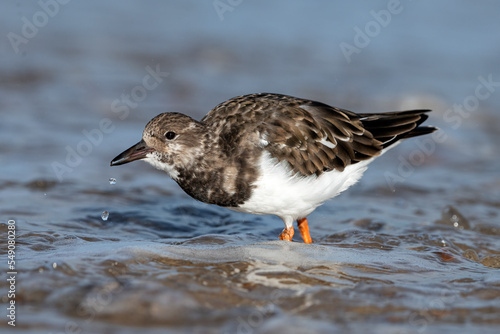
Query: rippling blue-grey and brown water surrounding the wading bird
x=413, y=248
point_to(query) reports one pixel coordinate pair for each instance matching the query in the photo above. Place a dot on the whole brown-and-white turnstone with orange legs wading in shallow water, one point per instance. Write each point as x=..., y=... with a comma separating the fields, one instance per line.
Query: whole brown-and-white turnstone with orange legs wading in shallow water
x=271, y=153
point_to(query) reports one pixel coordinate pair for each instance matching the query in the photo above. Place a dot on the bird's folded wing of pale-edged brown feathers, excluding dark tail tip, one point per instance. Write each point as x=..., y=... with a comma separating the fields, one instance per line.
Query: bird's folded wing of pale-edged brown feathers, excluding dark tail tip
x=313, y=137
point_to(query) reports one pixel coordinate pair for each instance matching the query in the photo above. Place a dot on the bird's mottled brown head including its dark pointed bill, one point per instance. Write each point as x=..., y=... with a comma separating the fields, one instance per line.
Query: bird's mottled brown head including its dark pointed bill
x=170, y=141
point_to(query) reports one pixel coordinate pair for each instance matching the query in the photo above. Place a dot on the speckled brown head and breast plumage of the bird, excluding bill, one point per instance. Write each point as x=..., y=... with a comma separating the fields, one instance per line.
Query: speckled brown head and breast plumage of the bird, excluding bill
x=208, y=170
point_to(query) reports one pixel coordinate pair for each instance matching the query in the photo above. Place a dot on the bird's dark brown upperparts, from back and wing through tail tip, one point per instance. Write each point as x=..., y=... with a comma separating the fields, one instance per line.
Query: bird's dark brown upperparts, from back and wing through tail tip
x=311, y=136
